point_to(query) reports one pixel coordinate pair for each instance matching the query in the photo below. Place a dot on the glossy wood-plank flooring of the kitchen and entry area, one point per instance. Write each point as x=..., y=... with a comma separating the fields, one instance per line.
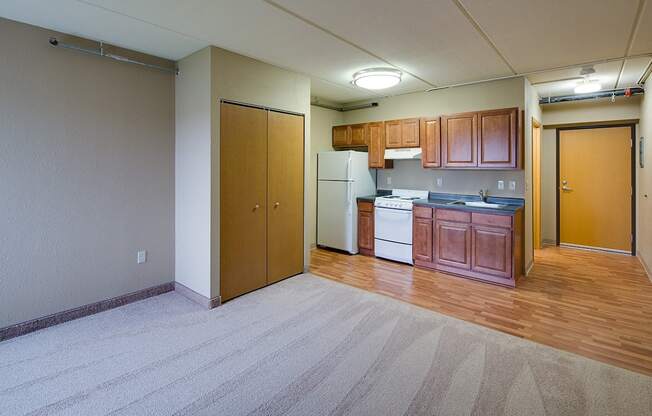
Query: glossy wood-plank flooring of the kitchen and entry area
x=593, y=304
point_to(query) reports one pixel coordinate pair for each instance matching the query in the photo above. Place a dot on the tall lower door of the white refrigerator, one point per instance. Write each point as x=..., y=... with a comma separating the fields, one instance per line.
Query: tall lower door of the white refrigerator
x=335, y=219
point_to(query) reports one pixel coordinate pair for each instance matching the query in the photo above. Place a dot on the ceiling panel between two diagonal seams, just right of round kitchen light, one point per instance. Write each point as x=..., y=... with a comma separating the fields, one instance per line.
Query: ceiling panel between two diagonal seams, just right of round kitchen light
x=431, y=39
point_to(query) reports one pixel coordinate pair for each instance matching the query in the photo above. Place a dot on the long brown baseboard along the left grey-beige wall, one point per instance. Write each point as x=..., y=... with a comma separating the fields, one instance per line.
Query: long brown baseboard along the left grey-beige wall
x=26, y=327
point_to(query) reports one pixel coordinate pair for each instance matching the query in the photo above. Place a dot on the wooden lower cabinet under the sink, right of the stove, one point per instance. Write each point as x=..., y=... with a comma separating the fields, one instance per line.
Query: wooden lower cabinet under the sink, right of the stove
x=480, y=246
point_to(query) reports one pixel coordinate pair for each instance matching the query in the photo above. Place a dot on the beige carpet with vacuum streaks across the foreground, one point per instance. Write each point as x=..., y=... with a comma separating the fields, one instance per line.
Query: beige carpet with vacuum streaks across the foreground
x=305, y=346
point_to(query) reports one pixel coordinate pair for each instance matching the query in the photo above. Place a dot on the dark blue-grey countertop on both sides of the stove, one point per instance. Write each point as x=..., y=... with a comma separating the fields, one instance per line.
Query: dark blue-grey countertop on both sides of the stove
x=438, y=200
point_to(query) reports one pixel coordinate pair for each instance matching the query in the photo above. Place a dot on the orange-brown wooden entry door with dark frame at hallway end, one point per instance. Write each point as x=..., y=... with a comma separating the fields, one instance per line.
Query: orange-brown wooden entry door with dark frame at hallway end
x=595, y=180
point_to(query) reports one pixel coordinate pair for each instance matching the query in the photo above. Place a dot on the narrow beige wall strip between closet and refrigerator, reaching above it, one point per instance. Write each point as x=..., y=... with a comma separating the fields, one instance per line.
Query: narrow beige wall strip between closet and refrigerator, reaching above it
x=321, y=122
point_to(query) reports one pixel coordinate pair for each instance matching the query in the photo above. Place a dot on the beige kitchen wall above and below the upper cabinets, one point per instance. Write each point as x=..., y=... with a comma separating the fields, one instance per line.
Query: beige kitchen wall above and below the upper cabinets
x=408, y=174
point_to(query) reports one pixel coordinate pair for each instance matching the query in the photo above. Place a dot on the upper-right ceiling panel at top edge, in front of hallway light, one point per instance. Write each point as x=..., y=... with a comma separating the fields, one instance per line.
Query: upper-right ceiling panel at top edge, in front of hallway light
x=535, y=34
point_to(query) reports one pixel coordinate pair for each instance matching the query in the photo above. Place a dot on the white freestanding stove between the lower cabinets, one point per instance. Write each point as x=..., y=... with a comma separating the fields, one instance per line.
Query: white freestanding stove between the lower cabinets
x=393, y=224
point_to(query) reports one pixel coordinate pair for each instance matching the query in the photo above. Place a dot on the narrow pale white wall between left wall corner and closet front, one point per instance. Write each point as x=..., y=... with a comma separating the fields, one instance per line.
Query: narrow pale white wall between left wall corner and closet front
x=193, y=173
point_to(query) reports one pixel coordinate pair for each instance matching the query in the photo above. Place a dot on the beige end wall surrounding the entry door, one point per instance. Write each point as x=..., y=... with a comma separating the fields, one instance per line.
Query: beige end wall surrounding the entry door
x=573, y=113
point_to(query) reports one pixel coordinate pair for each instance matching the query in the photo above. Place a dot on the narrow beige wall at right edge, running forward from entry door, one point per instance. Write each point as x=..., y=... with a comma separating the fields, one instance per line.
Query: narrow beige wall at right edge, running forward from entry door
x=645, y=187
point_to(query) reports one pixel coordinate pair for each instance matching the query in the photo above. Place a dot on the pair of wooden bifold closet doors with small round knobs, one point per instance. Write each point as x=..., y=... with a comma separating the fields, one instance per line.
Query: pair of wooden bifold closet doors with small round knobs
x=261, y=198
